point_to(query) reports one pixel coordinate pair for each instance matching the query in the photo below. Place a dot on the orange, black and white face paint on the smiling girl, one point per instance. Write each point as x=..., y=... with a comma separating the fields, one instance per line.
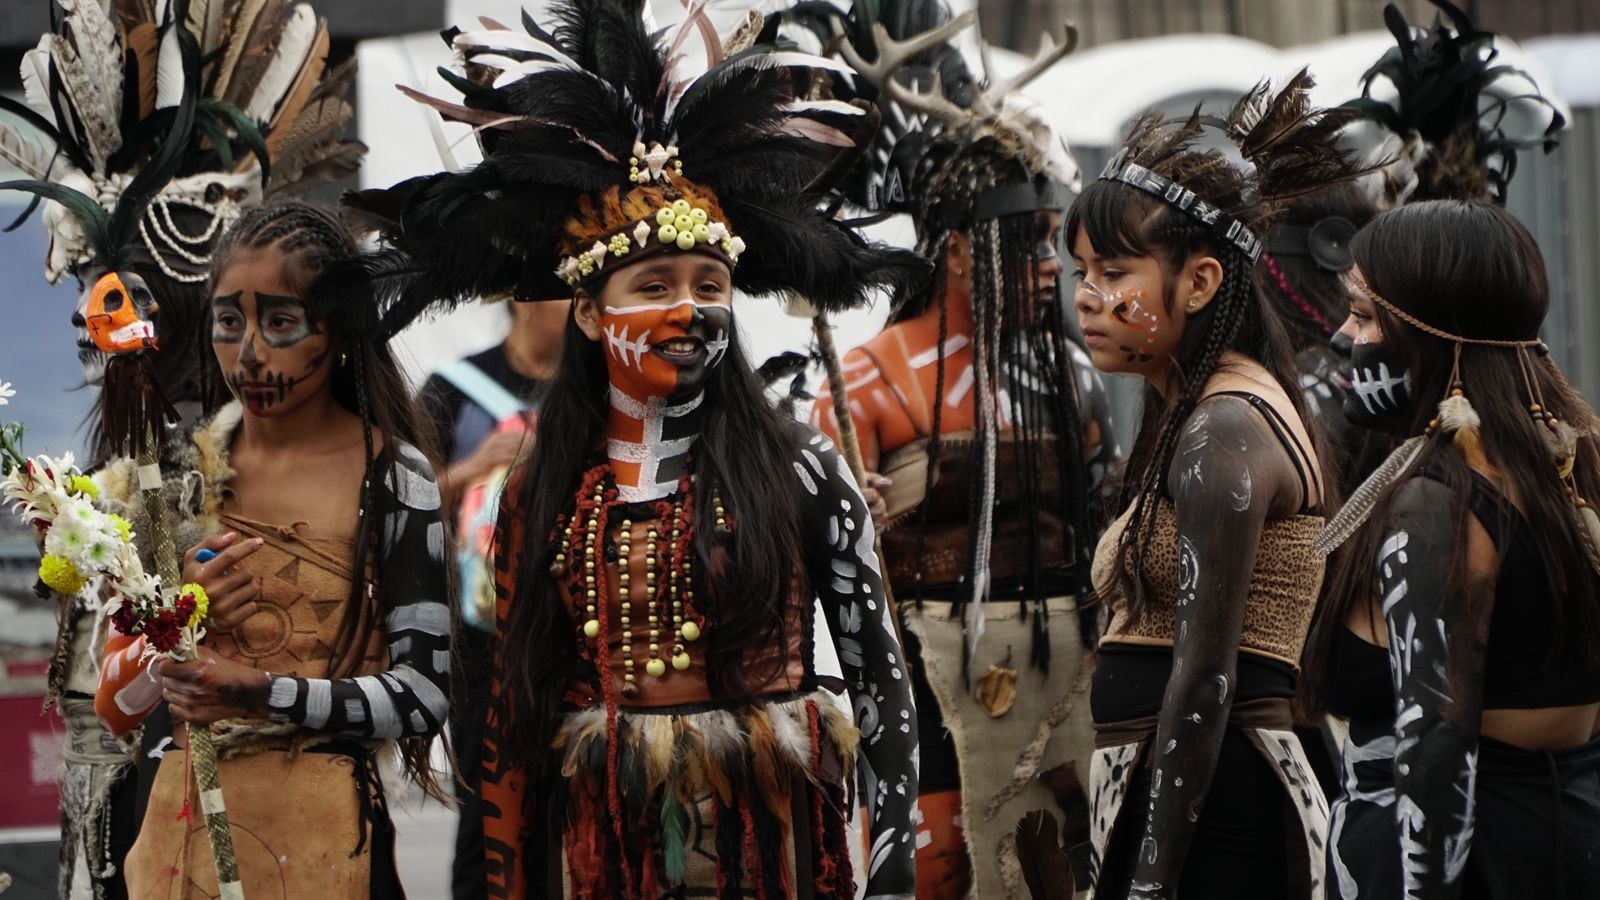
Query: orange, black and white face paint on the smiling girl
x=665, y=350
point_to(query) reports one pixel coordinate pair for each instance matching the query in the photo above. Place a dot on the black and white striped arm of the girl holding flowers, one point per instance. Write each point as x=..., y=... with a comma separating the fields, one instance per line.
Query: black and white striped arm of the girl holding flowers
x=412, y=697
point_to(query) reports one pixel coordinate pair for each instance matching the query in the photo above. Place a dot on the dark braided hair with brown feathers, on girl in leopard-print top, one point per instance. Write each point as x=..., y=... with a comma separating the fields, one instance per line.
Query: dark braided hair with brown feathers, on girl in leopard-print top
x=1284, y=151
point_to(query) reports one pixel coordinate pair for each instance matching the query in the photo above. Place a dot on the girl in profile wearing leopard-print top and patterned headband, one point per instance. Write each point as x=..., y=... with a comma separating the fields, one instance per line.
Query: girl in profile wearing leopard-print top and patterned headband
x=1209, y=576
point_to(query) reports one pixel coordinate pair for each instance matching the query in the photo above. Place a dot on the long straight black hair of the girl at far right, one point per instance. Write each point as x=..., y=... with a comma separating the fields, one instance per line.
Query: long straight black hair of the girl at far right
x=1473, y=270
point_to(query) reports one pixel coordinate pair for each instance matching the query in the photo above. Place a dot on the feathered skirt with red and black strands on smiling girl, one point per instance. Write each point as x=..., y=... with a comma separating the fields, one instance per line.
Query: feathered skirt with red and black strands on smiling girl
x=700, y=802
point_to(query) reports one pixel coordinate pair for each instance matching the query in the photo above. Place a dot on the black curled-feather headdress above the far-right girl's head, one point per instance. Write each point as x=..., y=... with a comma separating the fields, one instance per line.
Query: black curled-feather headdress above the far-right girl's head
x=1458, y=118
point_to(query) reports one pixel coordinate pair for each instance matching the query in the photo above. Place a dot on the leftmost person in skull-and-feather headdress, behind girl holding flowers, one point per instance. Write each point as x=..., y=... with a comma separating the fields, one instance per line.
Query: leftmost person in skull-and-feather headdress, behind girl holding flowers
x=150, y=127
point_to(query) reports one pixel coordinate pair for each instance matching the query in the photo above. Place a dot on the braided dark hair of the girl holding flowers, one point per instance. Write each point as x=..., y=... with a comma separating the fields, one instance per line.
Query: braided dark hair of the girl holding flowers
x=313, y=241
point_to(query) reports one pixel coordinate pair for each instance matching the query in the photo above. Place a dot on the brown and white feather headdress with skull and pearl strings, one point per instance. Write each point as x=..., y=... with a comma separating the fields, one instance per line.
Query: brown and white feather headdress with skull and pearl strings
x=150, y=126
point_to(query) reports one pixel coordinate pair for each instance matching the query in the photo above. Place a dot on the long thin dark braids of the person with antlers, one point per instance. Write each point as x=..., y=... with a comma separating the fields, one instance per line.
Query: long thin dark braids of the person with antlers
x=1020, y=339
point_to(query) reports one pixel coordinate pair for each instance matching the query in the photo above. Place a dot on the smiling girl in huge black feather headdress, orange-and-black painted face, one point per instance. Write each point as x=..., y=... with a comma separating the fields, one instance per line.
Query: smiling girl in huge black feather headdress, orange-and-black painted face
x=687, y=579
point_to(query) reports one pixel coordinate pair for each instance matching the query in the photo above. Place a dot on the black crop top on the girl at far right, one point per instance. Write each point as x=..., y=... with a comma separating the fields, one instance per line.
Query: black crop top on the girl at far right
x=1521, y=672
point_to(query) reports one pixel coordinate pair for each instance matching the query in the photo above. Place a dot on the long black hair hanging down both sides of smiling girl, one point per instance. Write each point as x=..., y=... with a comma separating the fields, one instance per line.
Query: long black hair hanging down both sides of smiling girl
x=745, y=452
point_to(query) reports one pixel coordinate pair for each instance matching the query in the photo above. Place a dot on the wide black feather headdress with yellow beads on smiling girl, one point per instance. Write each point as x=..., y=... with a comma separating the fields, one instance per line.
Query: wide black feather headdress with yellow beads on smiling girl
x=599, y=148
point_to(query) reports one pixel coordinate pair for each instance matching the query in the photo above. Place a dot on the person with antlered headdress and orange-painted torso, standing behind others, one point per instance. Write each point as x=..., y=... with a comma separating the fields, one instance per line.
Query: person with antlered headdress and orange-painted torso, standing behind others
x=978, y=408
